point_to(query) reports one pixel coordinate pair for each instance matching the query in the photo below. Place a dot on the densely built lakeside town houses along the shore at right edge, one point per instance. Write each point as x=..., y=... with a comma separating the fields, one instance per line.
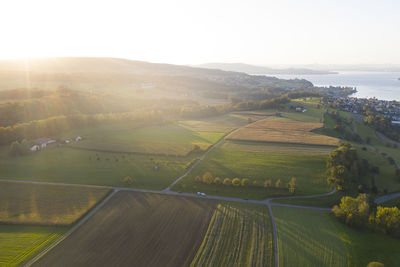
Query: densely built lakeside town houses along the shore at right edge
x=389, y=109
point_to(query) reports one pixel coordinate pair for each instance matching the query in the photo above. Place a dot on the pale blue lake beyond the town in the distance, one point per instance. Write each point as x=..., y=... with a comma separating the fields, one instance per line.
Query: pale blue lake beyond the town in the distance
x=382, y=85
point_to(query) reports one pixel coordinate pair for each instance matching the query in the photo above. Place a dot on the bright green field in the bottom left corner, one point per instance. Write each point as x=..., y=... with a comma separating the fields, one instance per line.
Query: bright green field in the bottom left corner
x=18, y=243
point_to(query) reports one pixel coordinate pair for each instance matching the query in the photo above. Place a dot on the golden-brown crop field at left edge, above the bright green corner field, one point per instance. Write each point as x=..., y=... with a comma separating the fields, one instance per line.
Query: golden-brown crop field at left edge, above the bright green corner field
x=41, y=204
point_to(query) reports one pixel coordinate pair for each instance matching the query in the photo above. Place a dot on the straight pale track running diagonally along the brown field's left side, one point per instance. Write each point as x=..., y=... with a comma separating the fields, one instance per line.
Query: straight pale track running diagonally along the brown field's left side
x=73, y=229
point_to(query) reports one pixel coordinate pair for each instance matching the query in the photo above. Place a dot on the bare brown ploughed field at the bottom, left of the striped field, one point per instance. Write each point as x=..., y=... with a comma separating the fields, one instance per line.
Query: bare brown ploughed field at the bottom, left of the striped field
x=137, y=229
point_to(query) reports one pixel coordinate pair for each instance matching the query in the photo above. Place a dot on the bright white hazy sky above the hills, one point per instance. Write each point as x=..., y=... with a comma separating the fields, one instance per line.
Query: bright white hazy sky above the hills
x=191, y=32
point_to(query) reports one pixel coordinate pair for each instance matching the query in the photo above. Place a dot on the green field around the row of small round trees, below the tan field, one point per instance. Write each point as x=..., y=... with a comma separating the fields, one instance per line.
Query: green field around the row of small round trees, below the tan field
x=232, y=161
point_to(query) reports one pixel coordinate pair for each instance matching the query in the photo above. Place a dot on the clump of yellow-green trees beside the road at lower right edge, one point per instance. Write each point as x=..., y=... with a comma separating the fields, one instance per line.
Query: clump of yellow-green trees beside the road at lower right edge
x=361, y=212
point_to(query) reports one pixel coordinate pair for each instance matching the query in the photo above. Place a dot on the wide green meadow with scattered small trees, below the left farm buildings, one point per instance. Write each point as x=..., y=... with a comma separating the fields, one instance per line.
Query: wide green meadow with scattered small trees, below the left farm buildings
x=61, y=164
